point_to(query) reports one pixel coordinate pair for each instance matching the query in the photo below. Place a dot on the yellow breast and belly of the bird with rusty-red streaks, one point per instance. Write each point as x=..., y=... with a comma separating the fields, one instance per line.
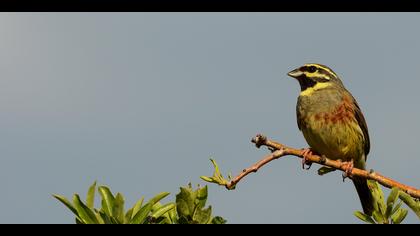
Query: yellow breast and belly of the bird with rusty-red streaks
x=330, y=128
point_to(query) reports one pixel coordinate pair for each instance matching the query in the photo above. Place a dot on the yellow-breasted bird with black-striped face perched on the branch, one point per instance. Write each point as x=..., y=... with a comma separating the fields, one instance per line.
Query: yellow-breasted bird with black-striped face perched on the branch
x=332, y=123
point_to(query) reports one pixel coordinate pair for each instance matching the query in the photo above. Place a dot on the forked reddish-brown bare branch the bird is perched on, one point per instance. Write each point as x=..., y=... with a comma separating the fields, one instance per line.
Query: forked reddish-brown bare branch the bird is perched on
x=280, y=150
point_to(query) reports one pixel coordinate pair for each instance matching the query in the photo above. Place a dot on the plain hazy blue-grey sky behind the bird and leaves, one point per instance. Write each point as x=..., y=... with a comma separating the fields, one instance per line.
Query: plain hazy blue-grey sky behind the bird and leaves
x=141, y=101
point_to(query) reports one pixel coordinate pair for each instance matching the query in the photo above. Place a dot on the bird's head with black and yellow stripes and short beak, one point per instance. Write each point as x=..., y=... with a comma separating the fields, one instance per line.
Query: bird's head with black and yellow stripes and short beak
x=311, y=75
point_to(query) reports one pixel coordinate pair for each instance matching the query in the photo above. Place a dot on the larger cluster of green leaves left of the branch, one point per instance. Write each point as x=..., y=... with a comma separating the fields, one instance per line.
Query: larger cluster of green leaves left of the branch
x=189, y=208
